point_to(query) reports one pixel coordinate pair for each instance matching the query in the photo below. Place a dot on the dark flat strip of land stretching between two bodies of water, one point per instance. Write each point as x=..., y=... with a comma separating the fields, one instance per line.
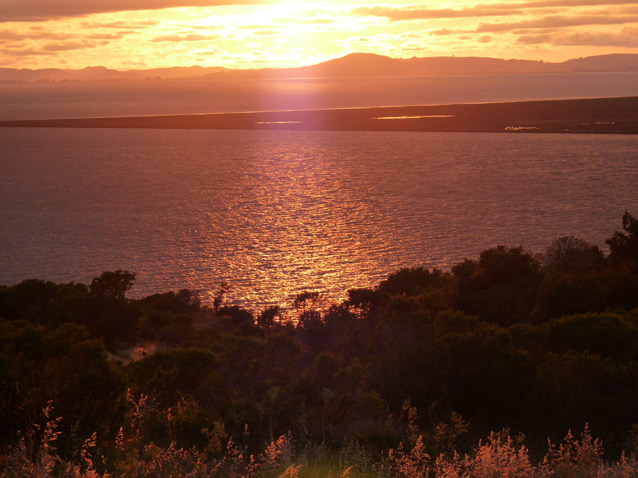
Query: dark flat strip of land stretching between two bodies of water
x=591, y=115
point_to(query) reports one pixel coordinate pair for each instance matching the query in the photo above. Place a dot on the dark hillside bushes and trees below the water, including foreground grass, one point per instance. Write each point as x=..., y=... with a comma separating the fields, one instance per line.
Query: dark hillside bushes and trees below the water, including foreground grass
x=511, y=364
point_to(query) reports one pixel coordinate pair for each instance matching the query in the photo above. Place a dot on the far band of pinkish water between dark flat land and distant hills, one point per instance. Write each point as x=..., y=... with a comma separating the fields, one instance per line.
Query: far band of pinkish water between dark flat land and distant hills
x=68, y=100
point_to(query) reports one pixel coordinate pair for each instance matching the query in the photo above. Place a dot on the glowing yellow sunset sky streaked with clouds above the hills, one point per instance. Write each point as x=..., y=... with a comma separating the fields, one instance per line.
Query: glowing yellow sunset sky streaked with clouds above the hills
x=132, y=34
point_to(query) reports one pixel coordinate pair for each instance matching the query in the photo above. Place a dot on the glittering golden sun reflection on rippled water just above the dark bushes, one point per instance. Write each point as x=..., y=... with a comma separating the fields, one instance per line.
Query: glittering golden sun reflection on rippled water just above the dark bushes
x=300, y=228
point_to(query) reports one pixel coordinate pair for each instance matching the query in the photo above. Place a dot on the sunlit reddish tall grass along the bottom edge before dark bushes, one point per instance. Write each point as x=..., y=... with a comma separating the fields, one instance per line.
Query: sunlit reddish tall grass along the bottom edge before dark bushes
x=499, y=456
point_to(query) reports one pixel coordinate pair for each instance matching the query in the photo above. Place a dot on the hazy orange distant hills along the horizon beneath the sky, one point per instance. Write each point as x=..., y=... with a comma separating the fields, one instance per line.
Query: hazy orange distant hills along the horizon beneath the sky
x=353, y=65
